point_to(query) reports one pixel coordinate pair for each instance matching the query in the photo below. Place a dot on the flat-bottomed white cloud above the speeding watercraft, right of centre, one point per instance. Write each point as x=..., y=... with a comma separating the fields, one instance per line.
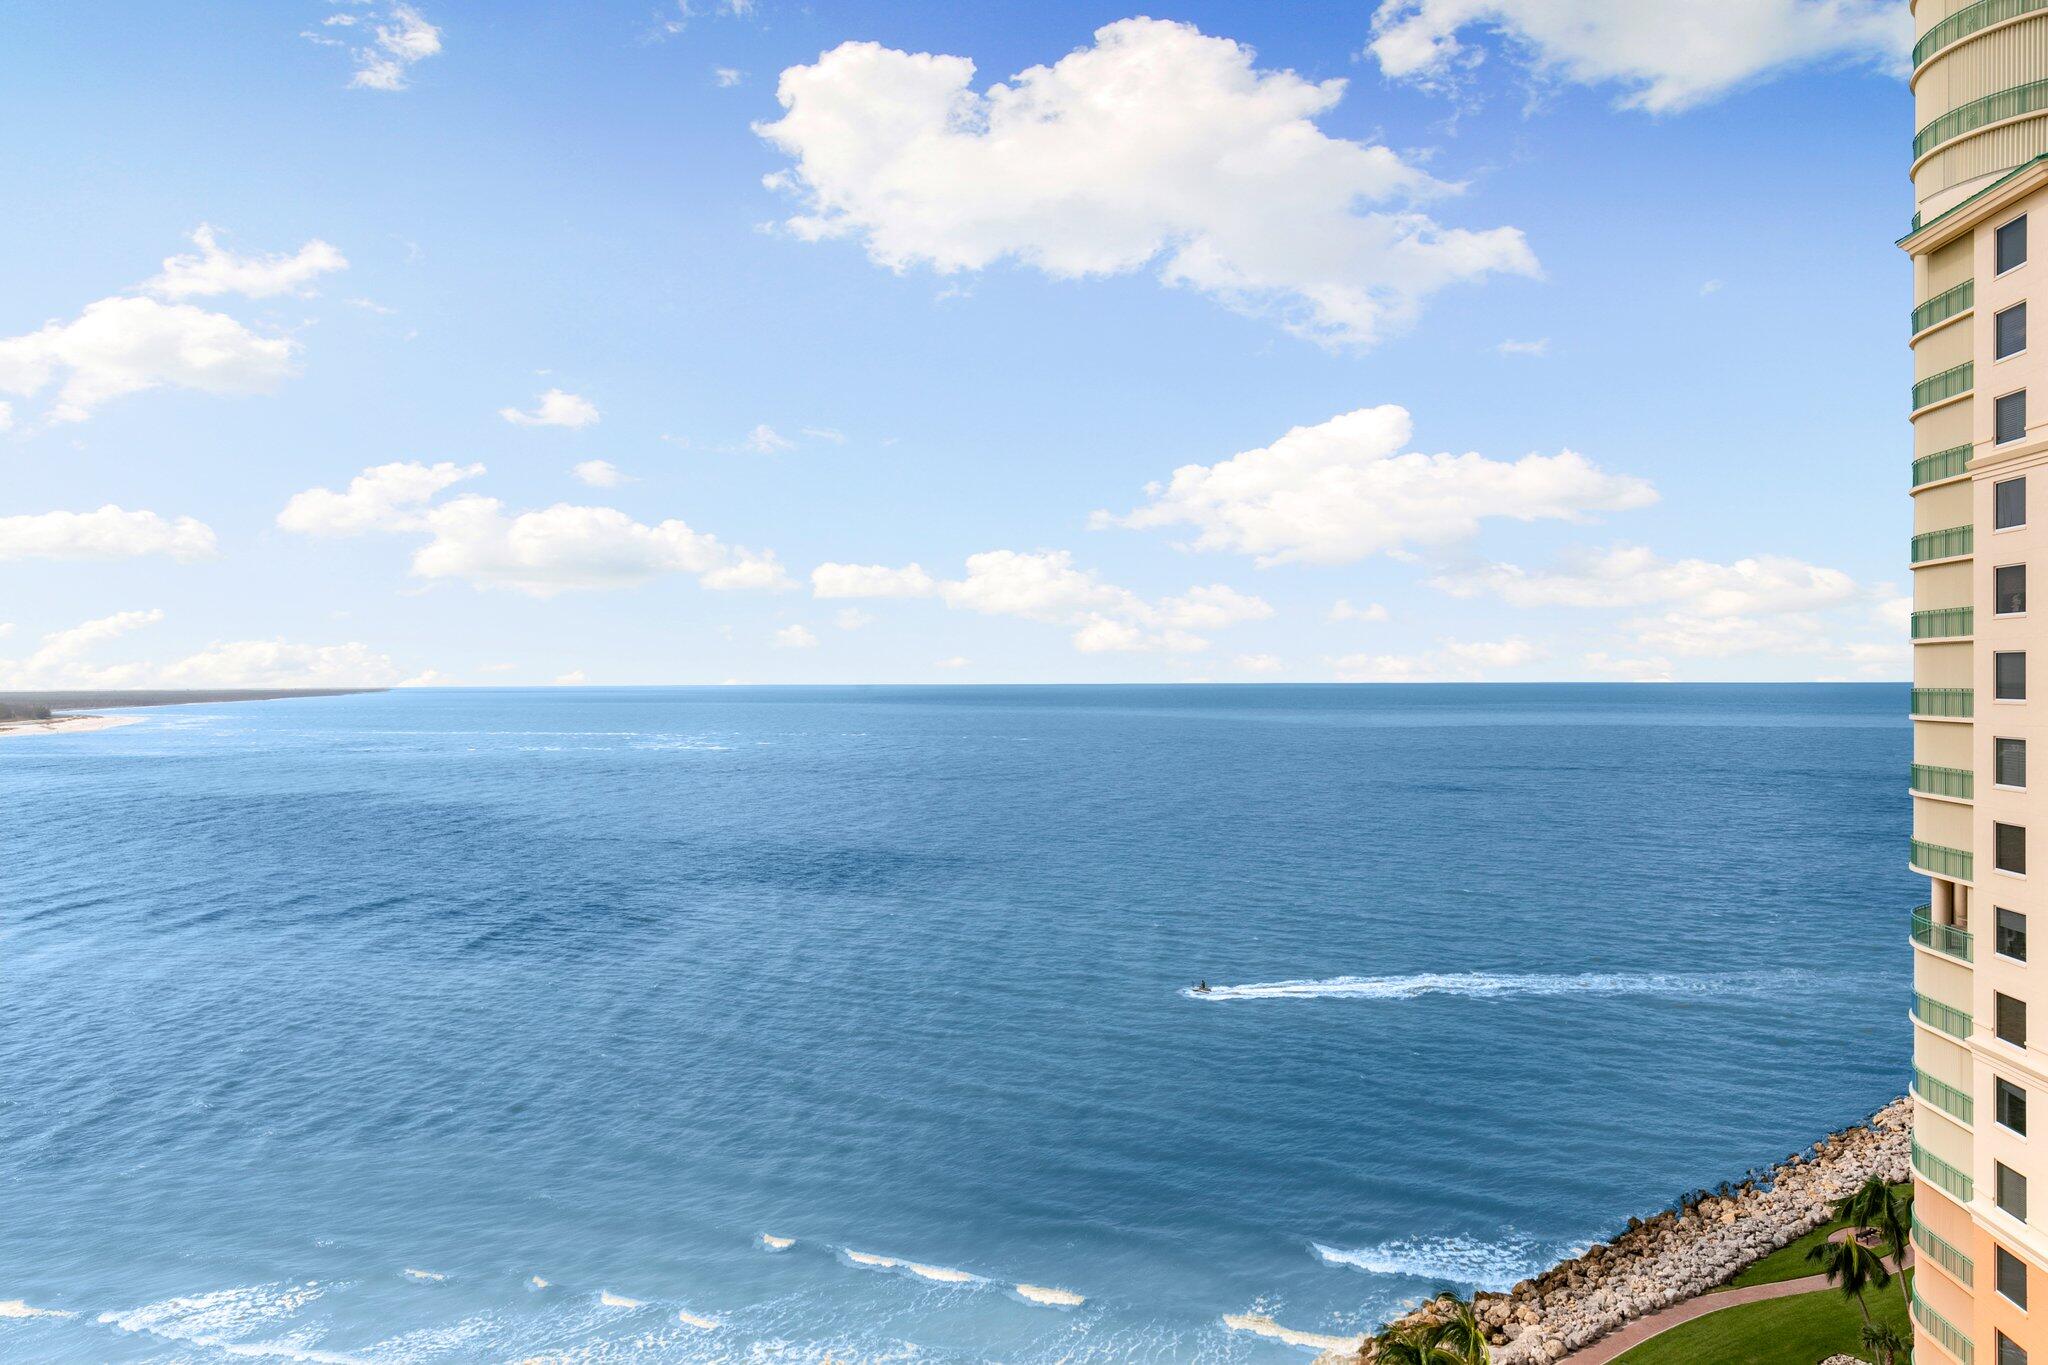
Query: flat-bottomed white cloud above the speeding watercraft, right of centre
x=1342, y=490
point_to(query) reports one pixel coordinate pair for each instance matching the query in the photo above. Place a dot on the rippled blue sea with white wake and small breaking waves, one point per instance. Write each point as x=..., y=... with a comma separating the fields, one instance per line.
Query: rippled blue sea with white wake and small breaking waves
x=329, y=1026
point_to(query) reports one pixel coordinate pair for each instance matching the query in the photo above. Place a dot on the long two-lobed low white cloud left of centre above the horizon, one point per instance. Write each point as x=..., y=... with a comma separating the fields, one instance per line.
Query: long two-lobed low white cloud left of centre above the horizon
x=540, y=554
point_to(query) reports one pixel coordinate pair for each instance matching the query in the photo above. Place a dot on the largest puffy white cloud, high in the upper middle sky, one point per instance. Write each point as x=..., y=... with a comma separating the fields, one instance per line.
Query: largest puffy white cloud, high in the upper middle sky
x=1154, y=146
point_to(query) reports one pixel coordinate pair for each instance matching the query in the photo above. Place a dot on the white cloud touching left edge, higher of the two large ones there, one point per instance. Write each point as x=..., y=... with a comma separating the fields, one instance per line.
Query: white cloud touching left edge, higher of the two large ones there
x=122, y=345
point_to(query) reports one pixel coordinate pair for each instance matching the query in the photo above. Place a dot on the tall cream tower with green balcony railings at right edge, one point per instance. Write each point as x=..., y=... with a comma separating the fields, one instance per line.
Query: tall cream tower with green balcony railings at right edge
x=1979, y=464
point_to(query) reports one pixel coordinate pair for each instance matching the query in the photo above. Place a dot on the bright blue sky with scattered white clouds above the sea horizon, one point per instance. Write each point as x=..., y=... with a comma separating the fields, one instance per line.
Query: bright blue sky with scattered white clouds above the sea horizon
x=869, y=384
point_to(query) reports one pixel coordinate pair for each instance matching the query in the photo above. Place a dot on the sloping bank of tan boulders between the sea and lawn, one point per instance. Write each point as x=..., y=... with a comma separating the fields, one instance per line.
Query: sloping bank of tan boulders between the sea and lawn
x=1678, y=1253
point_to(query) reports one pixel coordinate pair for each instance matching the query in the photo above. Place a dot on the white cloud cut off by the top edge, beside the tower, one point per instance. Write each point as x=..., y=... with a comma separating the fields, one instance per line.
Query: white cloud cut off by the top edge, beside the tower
x=1666, y=56
